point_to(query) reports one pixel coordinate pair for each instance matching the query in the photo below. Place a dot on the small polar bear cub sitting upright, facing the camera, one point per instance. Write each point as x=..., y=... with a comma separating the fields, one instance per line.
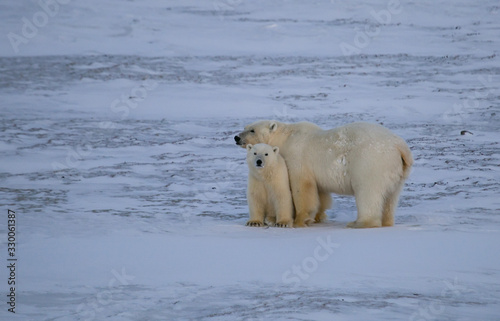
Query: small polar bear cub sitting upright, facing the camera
x=268, y=193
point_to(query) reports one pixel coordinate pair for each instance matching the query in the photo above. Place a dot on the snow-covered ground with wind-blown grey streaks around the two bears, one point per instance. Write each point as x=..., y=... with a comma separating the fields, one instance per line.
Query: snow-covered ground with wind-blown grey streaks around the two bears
x=117, y=155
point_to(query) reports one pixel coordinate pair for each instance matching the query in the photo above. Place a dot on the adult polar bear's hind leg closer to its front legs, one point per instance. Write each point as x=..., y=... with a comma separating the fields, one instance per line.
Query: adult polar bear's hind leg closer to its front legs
x=369, y=205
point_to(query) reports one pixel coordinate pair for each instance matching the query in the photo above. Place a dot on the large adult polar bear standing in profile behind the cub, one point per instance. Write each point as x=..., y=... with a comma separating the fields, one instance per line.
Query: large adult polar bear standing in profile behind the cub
x=361, y=159
